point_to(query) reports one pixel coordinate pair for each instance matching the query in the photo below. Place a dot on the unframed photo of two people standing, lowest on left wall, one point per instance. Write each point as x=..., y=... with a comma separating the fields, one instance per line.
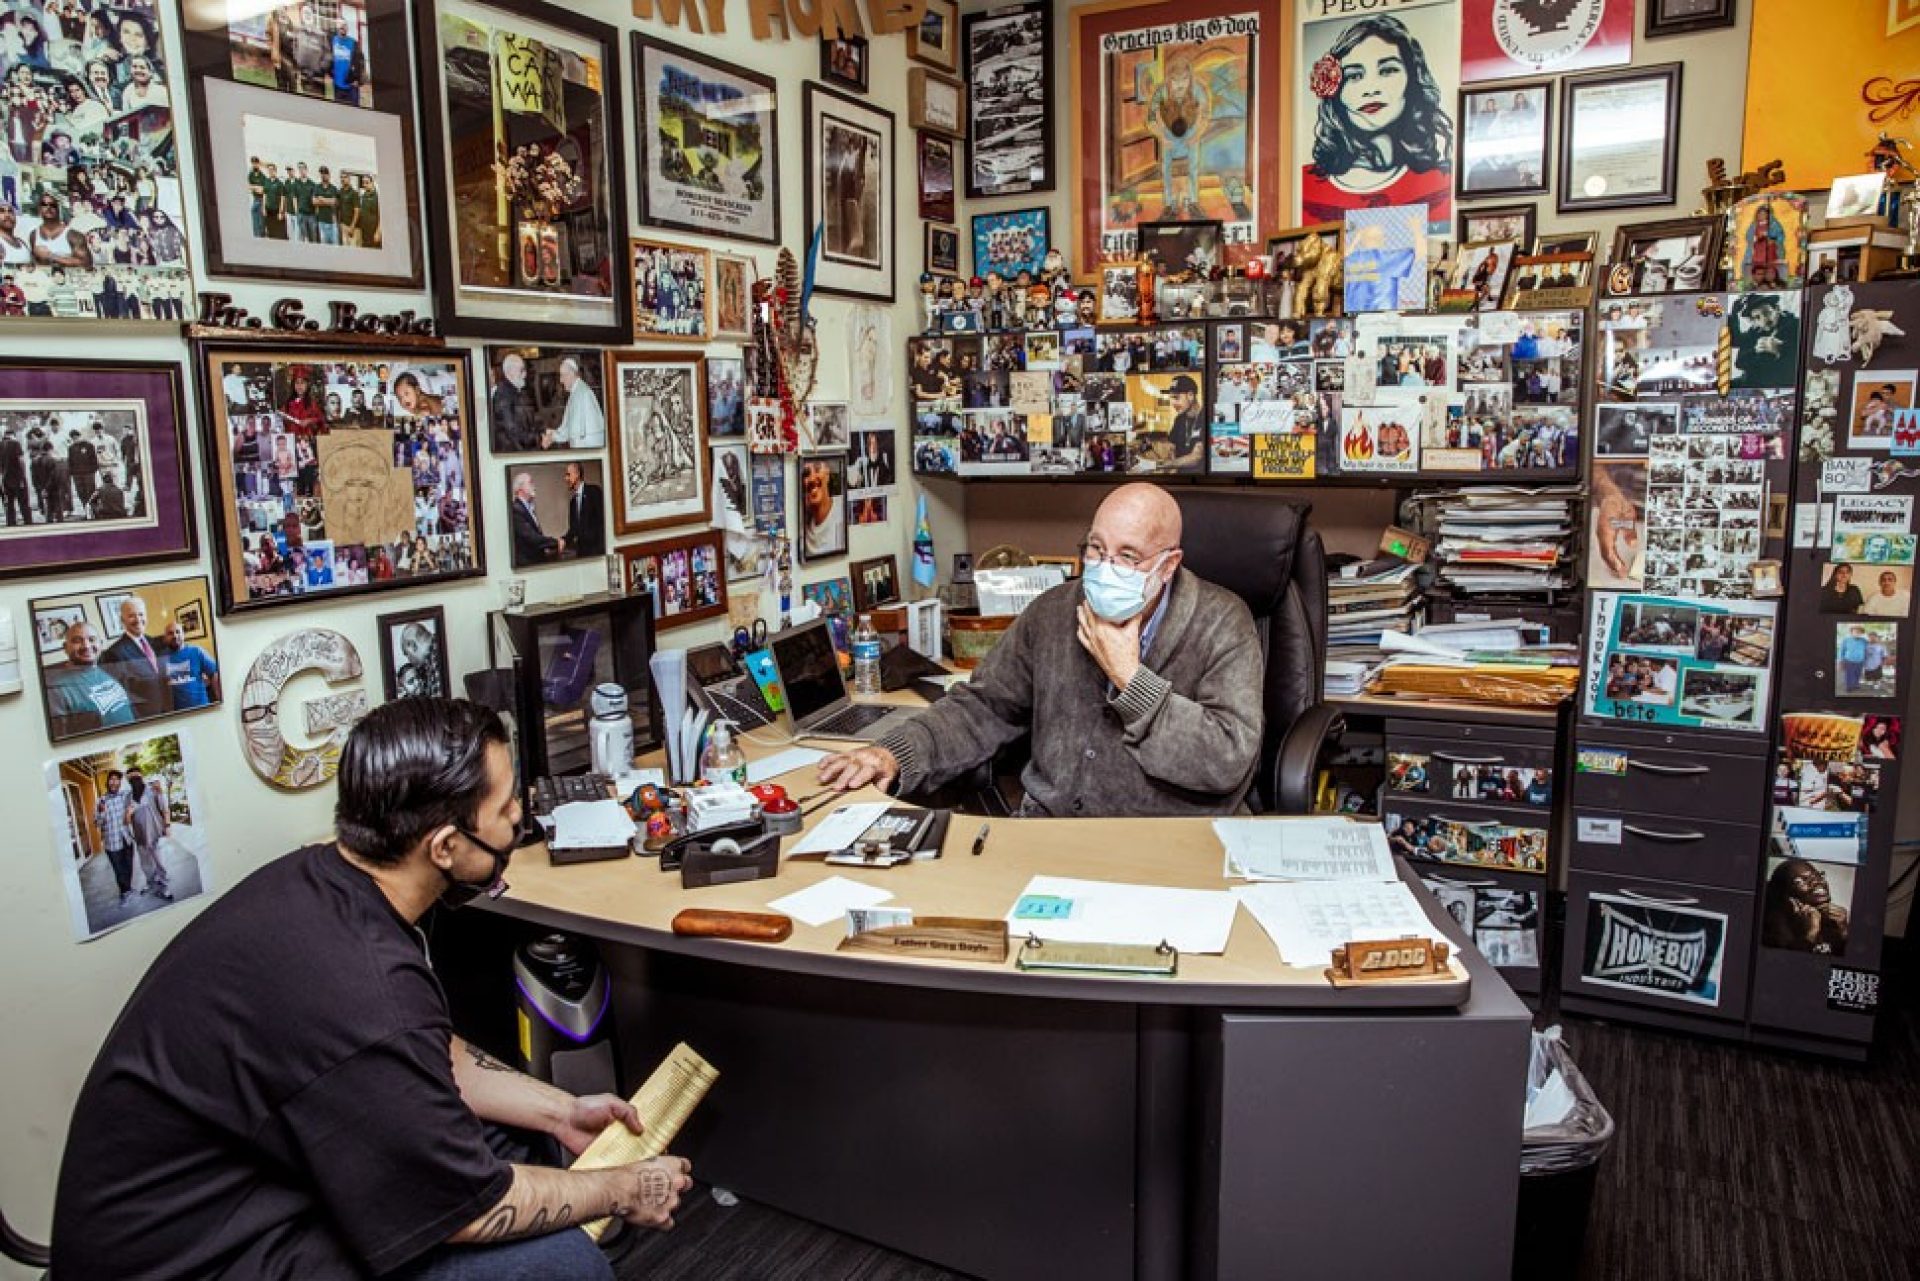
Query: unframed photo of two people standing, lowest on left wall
x=130, y=831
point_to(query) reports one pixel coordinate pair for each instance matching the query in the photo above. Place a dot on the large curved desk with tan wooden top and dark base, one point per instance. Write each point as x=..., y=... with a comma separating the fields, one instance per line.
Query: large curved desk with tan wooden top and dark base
x=1049, y=1126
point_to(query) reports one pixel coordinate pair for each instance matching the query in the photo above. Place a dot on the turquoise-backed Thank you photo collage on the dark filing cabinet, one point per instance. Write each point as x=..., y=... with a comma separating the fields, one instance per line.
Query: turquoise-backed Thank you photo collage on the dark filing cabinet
x=1679, y=662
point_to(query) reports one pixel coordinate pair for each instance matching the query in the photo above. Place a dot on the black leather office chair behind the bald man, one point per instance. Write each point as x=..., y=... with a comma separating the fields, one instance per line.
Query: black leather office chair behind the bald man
x=1266, y=552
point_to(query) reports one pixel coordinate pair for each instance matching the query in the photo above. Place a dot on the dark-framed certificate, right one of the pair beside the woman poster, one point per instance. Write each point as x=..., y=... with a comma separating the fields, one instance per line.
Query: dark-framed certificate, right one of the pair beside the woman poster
x=1620, y=139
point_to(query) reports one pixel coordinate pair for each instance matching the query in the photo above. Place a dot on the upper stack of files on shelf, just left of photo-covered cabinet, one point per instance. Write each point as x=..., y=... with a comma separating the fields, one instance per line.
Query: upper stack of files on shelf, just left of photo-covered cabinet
x=1504, y=543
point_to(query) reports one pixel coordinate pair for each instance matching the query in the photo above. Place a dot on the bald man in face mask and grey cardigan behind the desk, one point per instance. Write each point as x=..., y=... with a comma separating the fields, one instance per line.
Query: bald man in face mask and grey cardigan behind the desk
x=1140, y=687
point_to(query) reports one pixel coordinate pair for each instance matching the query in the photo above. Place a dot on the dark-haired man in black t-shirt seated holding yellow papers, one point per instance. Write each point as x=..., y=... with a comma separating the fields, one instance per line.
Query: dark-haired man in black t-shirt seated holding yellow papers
x=285, y=1096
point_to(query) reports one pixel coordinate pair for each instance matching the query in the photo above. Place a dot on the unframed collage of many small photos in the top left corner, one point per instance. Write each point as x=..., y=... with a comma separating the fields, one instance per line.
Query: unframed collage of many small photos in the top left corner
x=91, y=208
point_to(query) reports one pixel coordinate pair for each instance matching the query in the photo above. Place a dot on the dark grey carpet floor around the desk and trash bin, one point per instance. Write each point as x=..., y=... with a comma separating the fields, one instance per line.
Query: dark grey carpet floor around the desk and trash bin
x=1729, y=1165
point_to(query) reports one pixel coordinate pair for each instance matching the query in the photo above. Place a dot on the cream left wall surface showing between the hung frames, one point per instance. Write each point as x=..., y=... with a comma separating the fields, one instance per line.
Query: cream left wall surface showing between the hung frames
x=60, y=998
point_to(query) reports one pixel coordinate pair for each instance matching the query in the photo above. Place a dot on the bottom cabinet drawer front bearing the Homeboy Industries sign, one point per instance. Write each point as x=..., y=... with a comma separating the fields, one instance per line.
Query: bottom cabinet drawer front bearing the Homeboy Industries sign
x=1685, y=950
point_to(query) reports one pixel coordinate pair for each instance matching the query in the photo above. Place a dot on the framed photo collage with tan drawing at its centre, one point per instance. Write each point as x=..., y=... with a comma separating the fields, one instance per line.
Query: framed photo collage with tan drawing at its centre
x=347, y=473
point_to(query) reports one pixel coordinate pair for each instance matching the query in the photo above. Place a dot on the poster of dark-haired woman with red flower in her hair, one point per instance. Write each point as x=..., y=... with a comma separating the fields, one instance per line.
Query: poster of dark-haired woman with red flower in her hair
x=1374, y=122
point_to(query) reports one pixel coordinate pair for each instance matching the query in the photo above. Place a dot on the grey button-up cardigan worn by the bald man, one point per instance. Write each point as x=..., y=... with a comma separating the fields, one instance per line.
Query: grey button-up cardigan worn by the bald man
x=1182, y=738
